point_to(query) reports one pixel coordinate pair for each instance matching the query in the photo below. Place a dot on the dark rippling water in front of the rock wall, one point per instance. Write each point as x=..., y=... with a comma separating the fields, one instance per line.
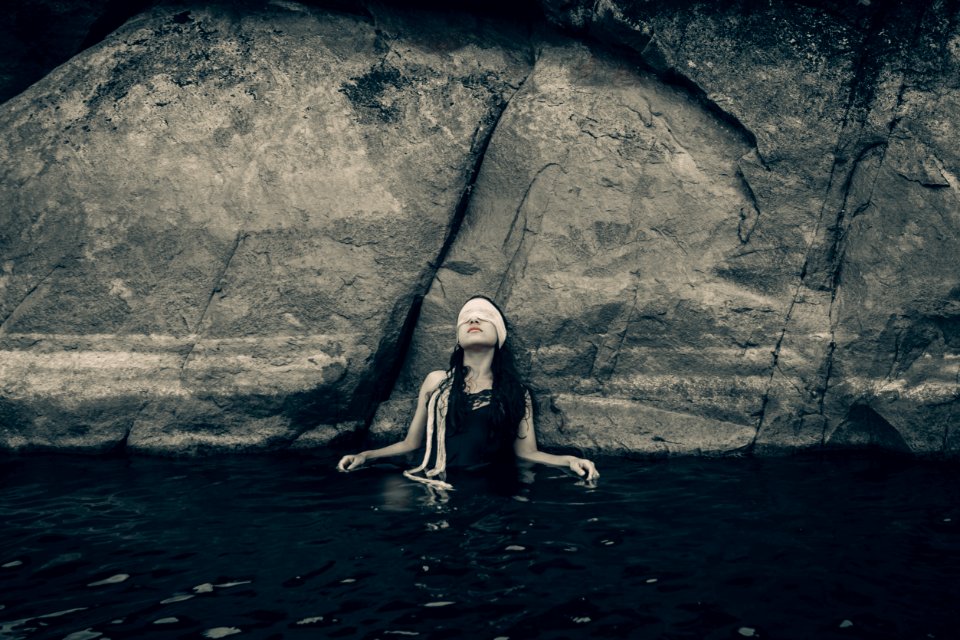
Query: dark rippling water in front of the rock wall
x=265, y=547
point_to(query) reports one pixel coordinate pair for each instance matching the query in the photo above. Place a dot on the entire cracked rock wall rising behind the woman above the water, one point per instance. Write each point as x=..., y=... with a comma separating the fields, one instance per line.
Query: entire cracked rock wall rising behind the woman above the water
x=713, y=229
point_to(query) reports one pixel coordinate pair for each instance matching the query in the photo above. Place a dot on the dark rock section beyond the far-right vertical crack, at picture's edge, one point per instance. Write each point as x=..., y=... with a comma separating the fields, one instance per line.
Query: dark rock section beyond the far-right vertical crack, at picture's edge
x=895, y=249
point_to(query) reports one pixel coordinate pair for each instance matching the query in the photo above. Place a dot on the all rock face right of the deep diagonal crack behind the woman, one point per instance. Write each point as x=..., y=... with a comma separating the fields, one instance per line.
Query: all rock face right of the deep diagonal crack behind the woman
x=810, y=294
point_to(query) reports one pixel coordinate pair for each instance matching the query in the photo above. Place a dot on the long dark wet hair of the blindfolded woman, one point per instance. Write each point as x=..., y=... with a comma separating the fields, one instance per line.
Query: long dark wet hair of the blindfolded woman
x=508, y=397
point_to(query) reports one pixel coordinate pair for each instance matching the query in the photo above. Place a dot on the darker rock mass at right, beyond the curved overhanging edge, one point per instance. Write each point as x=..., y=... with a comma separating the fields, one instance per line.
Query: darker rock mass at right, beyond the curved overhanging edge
x=853, y=109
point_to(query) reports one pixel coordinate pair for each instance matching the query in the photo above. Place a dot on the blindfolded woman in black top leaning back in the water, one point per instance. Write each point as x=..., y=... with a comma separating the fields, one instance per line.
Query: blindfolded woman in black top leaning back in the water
x=477, y=413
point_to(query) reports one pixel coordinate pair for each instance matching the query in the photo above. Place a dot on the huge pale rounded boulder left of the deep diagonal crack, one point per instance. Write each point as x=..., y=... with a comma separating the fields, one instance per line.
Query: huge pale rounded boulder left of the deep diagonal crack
x=216, y=222
